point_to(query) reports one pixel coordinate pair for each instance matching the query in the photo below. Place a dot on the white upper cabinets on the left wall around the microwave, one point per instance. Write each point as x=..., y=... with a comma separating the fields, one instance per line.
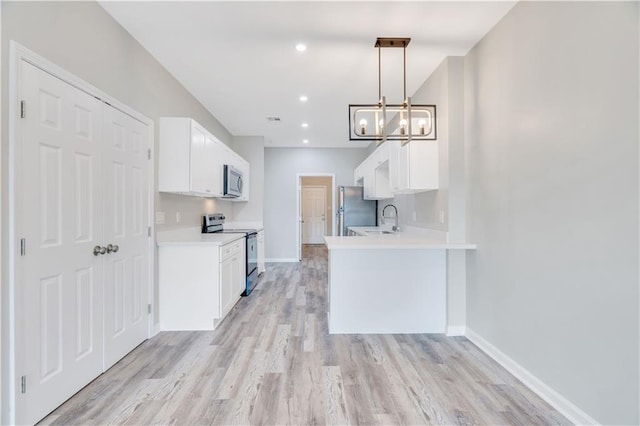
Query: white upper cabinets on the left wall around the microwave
x=192, y=159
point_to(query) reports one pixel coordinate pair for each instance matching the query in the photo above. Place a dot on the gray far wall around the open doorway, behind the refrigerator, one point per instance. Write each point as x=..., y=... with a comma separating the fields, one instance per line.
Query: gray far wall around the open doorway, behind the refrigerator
x=281, y=166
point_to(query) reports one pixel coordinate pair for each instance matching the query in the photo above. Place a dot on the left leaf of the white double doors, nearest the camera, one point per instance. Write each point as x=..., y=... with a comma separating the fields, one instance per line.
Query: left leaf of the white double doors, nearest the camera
x=59, y=312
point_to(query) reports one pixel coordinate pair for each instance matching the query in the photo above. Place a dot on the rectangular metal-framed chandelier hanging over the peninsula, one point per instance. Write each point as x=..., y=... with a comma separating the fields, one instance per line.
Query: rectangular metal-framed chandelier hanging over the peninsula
x=380, y=122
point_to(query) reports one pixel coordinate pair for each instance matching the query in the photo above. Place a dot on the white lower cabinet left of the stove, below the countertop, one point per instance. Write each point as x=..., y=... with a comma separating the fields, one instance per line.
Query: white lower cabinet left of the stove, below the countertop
x=199, y=283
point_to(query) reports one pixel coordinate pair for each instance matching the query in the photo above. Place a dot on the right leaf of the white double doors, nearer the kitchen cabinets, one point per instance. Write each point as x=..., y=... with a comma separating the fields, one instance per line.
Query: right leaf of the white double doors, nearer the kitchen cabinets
x=126, y=271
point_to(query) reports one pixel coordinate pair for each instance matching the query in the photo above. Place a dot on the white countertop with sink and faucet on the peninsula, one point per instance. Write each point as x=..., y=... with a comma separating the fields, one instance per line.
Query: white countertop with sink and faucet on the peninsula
x=409, y=239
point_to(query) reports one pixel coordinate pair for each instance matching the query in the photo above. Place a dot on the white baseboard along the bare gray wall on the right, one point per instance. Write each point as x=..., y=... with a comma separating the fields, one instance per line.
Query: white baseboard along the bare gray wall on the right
x=553, y=398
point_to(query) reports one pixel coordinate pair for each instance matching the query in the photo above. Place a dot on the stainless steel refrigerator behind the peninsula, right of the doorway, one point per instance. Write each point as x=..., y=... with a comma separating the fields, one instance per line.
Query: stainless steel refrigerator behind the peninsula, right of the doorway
x=354, y=210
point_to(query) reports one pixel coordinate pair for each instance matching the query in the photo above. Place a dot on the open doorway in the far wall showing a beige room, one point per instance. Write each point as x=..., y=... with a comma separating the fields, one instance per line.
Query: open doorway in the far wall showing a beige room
x=315, y=201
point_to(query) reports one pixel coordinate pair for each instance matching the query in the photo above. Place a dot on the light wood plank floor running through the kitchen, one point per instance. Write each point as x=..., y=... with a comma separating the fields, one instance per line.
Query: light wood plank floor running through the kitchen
x=272, y=362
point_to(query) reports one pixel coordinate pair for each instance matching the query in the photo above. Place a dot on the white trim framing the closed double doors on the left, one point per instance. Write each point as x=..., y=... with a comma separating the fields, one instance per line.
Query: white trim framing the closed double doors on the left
x=18, y=54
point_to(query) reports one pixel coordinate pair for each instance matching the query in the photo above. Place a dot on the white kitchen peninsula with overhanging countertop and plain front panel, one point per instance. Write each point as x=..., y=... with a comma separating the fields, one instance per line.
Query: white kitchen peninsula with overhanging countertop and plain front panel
x=389, y=282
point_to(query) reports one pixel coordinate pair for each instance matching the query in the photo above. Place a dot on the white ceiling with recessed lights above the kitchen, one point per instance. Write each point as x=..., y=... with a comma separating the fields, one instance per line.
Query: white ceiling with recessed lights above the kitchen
x=239, y=59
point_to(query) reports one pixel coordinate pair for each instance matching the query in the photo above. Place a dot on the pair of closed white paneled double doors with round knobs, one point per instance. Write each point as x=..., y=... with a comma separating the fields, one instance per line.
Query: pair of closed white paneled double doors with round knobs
x=83, y=185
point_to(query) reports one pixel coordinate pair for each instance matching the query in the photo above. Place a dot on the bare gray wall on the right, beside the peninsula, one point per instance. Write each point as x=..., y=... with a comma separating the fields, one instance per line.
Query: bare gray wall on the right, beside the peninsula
x=552, y=114
